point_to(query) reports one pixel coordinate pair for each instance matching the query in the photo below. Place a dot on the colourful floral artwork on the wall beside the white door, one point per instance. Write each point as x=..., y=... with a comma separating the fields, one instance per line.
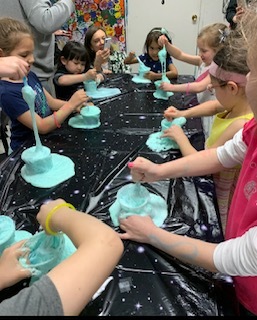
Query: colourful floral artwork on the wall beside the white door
x=107, y=13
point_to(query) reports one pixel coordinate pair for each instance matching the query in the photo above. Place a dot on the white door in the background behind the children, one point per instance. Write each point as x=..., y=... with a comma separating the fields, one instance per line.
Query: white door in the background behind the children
x=180, y=17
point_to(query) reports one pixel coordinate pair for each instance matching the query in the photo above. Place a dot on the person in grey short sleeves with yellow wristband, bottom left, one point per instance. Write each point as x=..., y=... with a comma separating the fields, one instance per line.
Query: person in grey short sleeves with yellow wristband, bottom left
x=80, y=275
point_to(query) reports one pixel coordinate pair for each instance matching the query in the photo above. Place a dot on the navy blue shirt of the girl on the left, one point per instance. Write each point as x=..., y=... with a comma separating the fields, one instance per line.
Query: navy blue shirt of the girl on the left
x=14, y=105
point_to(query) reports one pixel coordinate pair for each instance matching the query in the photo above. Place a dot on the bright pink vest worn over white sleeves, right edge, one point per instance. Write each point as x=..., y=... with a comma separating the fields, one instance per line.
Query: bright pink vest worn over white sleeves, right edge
x=243, y=212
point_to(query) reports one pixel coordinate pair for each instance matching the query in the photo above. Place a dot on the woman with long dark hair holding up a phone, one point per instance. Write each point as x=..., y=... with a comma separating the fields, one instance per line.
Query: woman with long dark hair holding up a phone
x=98, y=55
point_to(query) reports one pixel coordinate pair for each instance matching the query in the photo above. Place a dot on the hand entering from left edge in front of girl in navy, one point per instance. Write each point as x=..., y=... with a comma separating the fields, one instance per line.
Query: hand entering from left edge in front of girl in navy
x=13, y=67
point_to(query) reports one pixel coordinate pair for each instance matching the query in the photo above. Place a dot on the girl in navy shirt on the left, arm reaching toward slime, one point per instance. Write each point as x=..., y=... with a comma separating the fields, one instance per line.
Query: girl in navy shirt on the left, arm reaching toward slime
x=16, y=40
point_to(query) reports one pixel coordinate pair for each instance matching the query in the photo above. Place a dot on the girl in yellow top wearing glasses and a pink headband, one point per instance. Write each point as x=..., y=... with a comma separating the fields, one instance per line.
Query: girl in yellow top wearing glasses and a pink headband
x=229, y=82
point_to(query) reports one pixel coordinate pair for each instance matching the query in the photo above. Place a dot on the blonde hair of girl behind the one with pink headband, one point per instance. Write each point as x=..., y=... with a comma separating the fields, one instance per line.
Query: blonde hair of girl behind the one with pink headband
x=211, y=35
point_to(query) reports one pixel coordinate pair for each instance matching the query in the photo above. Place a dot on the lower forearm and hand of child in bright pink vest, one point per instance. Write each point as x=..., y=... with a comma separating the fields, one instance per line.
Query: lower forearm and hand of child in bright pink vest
x=189, y=250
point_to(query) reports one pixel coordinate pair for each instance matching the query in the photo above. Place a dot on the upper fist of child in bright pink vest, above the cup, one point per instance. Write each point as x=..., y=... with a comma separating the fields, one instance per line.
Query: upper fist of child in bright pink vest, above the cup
x=143, y=170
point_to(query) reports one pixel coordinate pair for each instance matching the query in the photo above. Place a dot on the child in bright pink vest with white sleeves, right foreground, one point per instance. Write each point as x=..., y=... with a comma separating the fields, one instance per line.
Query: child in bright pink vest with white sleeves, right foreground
x=236, y=256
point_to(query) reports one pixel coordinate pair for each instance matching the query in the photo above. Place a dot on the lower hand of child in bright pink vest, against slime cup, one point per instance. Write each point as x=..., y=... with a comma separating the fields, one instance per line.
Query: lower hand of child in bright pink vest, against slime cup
x=137, y=228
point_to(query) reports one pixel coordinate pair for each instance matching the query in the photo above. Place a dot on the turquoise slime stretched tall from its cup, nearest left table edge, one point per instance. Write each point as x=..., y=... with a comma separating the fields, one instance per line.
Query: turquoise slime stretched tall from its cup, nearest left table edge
x=42, y=169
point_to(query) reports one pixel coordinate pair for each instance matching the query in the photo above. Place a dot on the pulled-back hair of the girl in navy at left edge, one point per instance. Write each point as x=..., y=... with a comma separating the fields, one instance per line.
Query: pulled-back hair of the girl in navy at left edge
x=11, y=31
